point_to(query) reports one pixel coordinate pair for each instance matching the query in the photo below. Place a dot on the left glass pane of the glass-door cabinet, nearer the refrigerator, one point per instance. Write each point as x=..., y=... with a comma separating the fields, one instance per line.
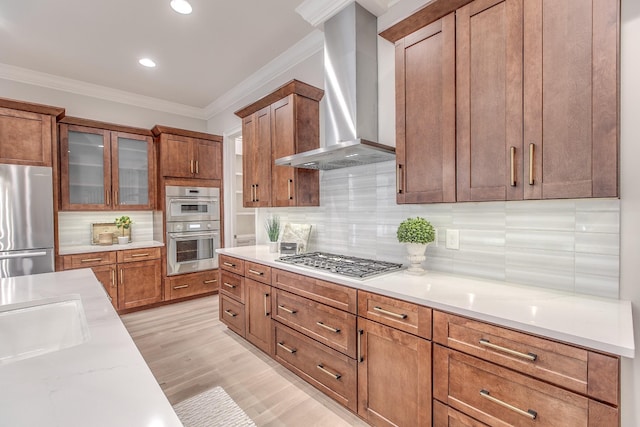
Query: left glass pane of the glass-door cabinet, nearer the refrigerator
x=86, y=168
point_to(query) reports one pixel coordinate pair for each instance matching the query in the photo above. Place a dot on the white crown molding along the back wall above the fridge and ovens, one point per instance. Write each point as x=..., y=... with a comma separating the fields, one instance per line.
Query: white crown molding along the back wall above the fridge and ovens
x=50, y=81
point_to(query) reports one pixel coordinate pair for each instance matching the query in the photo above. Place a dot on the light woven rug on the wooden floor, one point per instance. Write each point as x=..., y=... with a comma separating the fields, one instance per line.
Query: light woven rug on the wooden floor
x=211, y=408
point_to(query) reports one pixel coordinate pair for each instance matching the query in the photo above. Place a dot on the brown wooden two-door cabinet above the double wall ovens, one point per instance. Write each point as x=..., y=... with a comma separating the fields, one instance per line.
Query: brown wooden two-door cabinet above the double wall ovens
x=188, y=154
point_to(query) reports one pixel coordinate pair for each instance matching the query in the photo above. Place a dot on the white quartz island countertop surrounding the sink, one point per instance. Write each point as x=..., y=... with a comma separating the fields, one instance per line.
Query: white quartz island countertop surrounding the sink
x=101, y=382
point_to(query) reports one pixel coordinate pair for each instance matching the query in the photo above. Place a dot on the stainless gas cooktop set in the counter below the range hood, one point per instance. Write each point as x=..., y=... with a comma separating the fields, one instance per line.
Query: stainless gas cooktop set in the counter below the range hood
x=359, y=268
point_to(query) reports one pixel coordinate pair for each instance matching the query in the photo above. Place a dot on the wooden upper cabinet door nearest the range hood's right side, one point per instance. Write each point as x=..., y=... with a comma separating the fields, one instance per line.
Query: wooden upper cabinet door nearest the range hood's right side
x=425, y=116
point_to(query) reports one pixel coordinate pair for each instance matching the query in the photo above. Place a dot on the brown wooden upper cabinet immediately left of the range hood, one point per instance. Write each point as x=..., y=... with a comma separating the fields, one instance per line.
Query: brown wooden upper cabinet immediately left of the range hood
x=283, y=123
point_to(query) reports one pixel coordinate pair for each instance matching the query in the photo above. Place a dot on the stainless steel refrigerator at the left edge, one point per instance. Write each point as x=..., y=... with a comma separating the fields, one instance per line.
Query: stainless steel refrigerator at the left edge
x=26, y=220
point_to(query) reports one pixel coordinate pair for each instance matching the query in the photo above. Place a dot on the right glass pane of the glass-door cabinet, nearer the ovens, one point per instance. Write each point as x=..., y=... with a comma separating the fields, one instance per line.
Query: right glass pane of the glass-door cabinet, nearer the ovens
x=133, y=172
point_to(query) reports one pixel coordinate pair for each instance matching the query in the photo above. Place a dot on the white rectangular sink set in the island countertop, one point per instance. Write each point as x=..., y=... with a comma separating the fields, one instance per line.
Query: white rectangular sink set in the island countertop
x=38, y=327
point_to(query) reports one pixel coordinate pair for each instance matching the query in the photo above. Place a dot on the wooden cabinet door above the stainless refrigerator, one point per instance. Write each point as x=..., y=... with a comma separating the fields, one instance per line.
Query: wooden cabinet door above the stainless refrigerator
x=25, y=137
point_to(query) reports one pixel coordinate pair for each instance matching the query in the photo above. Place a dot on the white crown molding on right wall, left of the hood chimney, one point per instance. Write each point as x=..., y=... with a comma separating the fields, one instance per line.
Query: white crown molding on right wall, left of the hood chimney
x=305, y=48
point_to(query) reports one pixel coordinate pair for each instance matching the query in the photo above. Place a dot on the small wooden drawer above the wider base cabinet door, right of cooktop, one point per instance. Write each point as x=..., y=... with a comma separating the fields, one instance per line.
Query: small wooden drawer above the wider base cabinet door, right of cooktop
x=405, y=316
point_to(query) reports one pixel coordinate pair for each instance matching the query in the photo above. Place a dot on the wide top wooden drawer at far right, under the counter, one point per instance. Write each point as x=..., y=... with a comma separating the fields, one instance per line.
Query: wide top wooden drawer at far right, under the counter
x=576, y=369
